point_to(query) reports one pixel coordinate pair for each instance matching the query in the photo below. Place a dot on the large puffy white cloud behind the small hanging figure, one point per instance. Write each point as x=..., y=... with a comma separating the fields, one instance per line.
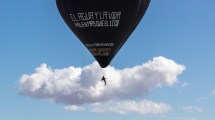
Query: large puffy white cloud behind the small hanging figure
x=79, y=86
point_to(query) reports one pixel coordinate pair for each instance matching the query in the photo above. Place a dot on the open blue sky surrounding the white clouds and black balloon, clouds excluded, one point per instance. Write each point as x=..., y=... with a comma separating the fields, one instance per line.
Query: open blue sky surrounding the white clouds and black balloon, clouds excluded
x=32, y=33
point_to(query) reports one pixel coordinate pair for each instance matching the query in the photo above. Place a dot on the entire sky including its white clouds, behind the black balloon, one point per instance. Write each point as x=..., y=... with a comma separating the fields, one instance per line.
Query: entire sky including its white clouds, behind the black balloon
x=164, y=71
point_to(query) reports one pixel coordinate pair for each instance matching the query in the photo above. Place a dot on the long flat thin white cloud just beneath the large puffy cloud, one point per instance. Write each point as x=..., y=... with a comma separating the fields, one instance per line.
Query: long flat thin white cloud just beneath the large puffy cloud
x=126, y=107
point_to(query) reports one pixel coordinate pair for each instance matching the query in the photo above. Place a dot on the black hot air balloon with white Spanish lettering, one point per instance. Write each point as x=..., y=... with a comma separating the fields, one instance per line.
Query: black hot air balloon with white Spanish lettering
x=103, y=26
